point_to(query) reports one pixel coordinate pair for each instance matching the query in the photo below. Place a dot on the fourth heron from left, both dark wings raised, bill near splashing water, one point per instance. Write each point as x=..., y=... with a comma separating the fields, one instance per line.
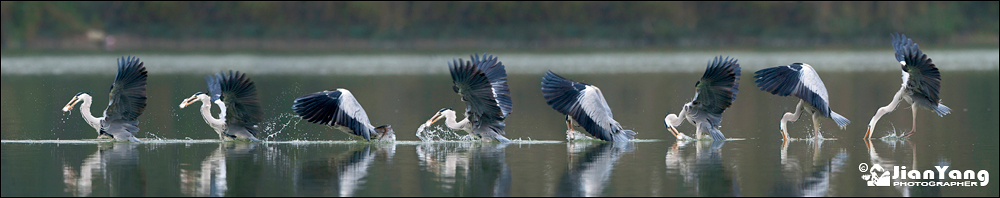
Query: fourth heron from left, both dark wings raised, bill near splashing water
x=482, y=84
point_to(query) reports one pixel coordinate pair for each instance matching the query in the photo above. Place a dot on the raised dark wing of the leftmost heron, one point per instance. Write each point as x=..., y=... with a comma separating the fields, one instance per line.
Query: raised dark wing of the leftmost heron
x=128, y=93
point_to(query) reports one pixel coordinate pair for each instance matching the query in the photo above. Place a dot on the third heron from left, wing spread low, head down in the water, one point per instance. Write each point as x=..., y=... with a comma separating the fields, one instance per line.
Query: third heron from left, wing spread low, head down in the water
x=338, y=108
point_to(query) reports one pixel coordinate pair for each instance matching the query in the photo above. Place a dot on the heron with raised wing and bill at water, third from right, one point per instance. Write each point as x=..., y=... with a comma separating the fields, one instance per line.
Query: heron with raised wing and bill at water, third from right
x=715, y=92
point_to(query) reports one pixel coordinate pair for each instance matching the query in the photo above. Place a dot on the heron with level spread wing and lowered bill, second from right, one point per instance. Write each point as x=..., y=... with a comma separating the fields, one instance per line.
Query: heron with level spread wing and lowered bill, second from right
x=800, y=80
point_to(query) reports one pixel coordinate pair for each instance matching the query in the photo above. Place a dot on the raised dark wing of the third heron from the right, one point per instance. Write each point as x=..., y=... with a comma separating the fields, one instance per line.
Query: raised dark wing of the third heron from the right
x=717, y=88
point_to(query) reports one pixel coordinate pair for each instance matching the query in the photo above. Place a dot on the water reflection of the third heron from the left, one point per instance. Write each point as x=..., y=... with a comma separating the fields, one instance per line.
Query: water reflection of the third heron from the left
x=342, y=175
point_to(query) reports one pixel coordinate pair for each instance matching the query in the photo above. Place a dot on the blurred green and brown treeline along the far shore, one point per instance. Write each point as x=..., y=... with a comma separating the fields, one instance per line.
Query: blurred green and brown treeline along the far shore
x=647, y=23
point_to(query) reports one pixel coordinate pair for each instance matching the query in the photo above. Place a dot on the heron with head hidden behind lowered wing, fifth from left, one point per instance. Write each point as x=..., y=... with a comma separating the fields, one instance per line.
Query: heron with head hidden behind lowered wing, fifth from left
x=583, y=105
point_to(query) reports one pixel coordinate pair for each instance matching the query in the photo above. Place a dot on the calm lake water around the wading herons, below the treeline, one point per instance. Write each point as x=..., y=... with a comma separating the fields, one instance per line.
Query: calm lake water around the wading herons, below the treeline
x=46, y=152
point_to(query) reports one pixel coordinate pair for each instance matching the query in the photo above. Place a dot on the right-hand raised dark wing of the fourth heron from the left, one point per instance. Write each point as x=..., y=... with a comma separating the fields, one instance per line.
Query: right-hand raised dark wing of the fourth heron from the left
x=497, y=75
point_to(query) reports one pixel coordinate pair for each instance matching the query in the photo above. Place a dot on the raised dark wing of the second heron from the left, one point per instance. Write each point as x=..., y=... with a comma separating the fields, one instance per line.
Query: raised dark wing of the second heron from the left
x=240, y=96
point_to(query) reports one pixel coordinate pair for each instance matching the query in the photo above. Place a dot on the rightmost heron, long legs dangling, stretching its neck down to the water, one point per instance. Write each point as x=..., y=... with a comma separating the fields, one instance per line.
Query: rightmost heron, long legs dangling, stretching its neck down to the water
x=921, y=83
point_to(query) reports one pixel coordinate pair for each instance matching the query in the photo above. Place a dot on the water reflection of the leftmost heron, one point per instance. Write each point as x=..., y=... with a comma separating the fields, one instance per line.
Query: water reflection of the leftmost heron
x=114, y=165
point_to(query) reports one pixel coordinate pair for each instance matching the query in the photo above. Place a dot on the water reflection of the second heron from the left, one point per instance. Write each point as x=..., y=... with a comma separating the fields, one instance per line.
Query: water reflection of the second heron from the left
x=210, y=178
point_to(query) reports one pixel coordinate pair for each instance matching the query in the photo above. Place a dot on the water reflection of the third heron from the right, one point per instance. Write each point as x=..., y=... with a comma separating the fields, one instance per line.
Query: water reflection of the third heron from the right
x=702, y=169
